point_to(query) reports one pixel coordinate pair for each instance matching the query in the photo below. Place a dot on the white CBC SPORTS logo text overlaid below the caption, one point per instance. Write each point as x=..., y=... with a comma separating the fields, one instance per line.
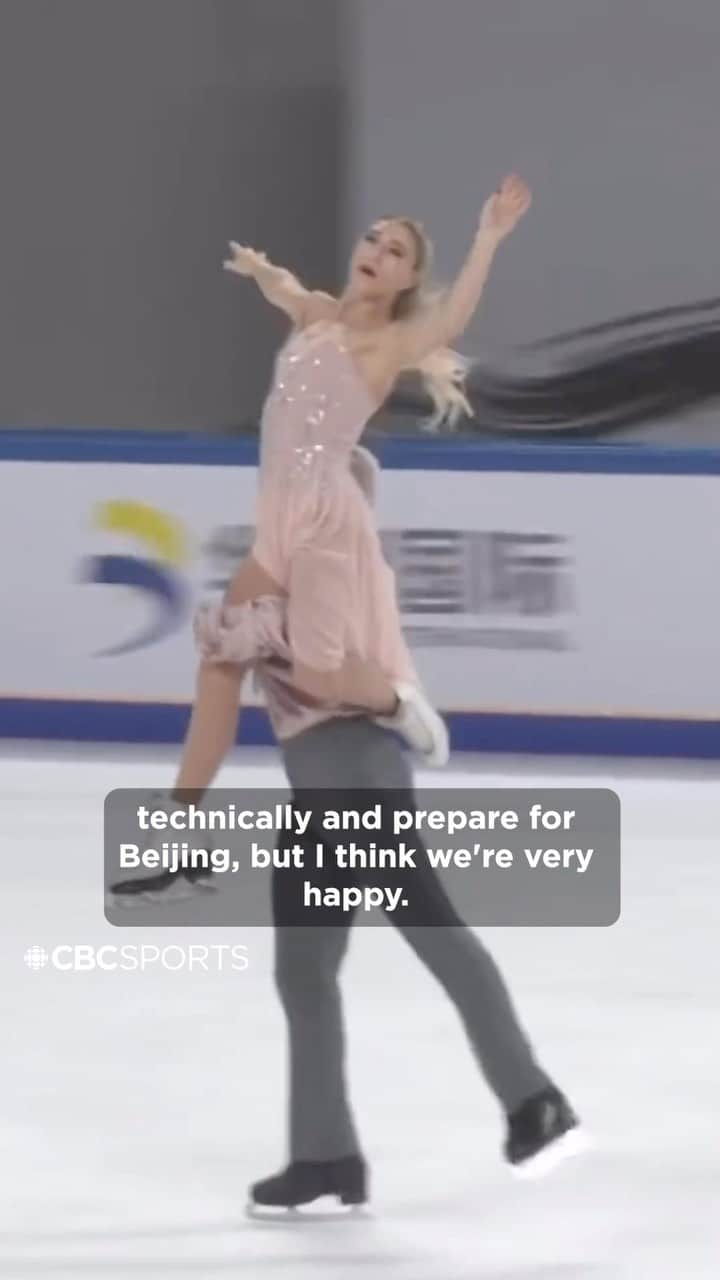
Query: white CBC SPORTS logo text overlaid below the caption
x=86, y=958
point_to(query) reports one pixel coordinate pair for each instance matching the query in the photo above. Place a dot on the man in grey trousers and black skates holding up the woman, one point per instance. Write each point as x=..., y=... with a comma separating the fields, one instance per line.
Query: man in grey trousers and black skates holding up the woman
x=354, y=755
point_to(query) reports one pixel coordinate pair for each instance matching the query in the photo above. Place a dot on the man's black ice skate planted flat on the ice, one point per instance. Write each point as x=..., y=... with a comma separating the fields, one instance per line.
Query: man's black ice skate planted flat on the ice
x=308, y=1181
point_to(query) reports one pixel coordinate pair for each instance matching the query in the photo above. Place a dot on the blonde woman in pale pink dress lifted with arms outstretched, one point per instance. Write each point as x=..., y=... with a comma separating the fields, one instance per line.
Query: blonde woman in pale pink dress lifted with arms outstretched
x=316, y=538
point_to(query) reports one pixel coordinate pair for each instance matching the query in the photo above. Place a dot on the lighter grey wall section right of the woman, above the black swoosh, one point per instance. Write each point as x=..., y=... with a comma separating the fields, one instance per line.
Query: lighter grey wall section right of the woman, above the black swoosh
x=609, y=109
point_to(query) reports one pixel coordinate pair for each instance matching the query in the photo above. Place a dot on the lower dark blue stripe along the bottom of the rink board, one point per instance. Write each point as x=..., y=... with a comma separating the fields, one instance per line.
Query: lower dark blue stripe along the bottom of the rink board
x=471, y=732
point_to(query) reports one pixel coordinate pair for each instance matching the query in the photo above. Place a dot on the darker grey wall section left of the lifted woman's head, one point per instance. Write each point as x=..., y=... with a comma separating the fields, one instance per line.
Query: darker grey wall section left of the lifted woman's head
x=136, y=139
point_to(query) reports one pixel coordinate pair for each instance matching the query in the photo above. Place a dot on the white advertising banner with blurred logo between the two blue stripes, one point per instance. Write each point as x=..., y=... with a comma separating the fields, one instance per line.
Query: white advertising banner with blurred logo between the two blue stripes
x=580, y=595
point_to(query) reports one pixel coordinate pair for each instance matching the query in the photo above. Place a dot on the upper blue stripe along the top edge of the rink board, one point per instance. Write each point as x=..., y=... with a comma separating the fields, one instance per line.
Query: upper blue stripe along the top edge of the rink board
x=427, y=454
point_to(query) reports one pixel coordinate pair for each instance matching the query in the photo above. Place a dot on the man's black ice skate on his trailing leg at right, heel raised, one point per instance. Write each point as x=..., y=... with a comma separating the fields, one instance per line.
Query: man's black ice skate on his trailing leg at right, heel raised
x=541, y=1133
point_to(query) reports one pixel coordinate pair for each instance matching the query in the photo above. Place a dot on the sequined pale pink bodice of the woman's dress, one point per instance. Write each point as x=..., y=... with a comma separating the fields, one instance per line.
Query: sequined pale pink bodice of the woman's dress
x=316, y=412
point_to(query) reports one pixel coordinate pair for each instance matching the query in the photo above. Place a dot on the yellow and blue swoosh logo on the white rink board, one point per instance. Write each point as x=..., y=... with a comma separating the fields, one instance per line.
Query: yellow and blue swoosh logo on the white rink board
x=158, y=575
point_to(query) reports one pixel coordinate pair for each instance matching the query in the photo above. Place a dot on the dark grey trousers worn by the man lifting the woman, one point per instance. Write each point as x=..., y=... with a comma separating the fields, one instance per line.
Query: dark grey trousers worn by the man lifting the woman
x=358, y=753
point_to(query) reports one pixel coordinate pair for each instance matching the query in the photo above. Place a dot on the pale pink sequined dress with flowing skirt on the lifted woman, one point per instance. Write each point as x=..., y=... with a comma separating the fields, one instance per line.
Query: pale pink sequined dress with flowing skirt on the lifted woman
x=316, y=534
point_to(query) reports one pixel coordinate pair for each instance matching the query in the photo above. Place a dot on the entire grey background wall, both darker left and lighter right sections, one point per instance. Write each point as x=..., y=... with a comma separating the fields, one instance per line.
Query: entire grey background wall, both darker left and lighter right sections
x=139, y=138
